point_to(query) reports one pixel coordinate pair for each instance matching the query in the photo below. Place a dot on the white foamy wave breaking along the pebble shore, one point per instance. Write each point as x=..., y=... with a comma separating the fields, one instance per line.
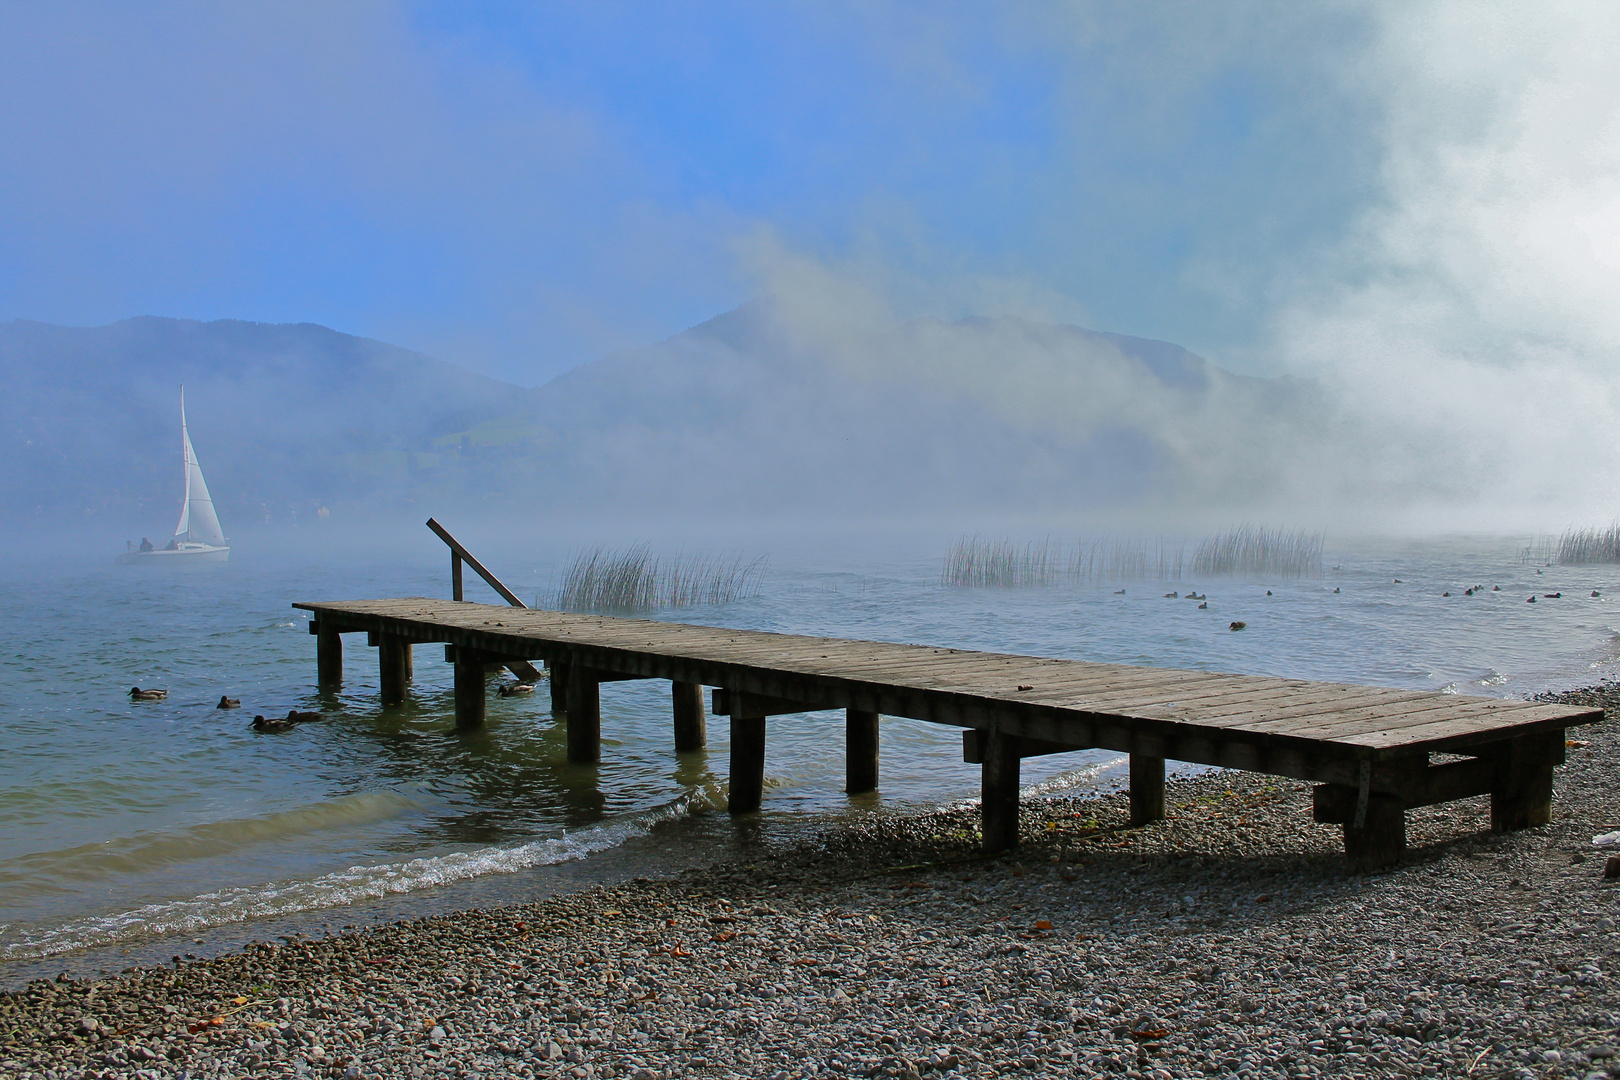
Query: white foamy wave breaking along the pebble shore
x=336, y=890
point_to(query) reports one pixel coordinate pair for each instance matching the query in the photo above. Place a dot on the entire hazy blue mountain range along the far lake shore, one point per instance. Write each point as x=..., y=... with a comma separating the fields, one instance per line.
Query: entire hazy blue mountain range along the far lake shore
x=754, y=412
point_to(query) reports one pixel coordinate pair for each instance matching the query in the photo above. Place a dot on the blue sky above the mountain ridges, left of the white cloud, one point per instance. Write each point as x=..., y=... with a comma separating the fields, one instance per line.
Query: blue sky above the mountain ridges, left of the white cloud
x=522, y=189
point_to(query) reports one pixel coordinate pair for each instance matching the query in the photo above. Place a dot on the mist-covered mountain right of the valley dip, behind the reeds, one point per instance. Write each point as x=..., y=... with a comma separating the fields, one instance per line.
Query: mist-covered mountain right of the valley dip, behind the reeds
x=759, y=412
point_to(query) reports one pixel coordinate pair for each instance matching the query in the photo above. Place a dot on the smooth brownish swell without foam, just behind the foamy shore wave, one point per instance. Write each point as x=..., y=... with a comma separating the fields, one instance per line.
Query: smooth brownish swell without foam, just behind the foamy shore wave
x=151, y=851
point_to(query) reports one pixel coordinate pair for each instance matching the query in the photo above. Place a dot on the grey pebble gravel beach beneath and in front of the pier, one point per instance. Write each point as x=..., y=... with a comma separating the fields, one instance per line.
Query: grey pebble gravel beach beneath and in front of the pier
x=1229, y=940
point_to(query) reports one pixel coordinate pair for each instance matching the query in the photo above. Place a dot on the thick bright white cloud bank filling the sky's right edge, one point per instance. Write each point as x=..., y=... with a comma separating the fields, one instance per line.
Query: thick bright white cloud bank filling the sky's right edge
x=1469, y=320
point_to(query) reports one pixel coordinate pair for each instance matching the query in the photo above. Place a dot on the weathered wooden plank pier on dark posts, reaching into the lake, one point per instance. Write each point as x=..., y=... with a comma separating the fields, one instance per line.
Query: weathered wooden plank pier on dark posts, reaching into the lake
x=1366, y=749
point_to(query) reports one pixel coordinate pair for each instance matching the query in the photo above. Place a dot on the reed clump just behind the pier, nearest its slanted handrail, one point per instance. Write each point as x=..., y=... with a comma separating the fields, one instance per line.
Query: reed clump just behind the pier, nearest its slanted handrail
x=634, y=579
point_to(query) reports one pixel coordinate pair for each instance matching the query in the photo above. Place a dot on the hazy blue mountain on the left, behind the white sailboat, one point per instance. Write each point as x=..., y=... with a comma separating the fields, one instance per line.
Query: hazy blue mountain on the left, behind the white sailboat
x=286, y=419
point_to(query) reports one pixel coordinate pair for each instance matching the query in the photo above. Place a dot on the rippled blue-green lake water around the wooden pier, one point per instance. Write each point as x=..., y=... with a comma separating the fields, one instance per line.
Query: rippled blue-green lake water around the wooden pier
x=134, y=823
